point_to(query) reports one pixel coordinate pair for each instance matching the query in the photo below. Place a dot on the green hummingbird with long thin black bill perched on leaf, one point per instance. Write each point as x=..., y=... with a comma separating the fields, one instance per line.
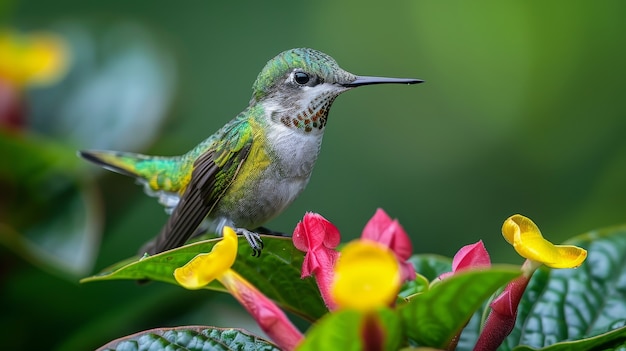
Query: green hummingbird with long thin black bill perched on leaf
x=255, y=166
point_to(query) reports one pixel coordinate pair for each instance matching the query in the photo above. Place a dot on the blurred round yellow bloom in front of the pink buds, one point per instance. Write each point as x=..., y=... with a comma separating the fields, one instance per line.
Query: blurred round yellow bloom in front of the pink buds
x=367, y=276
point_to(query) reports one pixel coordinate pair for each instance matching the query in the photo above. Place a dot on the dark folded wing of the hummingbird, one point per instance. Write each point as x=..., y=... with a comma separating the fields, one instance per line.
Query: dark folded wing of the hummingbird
x=213, y=173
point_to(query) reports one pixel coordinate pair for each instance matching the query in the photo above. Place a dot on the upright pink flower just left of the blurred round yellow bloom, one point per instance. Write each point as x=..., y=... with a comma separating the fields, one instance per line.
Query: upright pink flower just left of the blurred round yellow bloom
x=316, y=236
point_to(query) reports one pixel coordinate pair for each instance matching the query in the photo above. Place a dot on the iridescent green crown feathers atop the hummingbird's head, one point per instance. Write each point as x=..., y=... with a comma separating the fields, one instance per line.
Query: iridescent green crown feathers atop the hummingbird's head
x=308, y=60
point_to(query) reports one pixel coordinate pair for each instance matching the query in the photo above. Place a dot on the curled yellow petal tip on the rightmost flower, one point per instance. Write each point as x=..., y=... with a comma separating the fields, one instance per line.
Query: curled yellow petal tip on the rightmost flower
x=527, y=240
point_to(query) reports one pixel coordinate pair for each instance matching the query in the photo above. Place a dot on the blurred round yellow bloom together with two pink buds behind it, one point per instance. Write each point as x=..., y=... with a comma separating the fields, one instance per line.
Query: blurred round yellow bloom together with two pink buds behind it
x=369, y=271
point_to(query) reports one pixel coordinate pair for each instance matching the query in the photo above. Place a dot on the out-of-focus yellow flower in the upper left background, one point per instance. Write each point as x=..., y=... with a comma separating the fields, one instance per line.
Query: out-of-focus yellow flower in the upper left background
x=33, y=59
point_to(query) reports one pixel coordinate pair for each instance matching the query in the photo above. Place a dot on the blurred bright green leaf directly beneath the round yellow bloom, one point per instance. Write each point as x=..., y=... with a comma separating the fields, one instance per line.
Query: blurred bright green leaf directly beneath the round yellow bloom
x=343, y=330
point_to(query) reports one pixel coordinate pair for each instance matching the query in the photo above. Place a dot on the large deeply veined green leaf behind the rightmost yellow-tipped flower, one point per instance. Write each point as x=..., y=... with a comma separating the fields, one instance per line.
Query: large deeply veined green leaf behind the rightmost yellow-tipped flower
x=577, y=304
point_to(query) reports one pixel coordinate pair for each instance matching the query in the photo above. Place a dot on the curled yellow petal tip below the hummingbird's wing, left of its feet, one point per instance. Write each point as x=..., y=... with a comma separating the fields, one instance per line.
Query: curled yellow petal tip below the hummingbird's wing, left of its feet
x=206, y=267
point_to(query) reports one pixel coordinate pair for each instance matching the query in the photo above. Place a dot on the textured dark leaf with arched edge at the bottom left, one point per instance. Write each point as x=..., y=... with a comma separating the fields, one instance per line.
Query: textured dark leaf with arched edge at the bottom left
x=190, y=338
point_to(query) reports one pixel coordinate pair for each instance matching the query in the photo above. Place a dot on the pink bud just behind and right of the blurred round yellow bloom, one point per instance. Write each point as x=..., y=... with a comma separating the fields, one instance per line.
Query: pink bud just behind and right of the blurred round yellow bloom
x=382, y=229
